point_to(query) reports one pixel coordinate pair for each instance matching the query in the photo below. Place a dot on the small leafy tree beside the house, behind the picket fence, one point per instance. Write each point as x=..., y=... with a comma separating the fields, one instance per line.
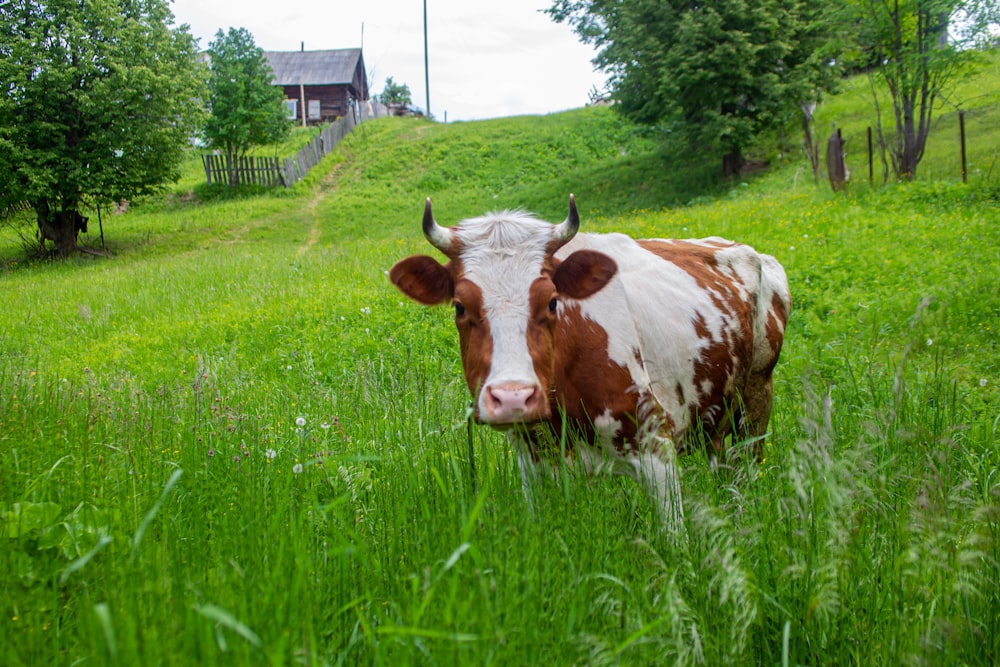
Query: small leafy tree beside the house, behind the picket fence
x=246, y=107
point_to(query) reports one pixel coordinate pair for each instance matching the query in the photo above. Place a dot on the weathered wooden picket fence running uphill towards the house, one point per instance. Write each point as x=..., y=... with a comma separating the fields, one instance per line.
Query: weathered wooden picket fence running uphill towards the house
x=275, y=171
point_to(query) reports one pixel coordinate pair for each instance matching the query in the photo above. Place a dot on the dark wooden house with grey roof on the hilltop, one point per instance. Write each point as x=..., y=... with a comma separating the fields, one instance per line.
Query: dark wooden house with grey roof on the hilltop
x=325, y=85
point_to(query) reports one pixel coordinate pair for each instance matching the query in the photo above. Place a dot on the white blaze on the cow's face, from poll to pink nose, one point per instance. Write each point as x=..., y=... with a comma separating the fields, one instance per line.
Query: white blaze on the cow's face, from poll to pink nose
x=503, y=255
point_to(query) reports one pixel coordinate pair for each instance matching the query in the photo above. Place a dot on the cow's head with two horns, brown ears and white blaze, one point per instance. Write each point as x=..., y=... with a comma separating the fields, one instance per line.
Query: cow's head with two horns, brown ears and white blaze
x=505, y=285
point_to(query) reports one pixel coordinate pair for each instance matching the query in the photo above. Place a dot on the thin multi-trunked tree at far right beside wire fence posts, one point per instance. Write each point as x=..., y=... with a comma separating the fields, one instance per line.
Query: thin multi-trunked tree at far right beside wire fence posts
x=908, y=46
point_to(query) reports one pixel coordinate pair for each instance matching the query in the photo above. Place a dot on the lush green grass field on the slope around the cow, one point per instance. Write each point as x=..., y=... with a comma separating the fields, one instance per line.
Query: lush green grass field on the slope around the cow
x=233, y=442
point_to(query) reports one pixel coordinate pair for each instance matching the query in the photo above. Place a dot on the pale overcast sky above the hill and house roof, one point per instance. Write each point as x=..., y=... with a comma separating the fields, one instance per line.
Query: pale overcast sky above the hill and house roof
x=488, y=58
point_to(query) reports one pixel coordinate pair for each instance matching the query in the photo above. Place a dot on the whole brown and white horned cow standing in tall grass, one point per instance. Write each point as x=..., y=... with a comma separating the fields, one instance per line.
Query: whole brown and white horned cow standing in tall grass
x=633, y=344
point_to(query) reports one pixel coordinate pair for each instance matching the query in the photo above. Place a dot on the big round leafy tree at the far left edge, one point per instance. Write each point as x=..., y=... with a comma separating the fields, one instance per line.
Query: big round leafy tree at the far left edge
x=98, y=101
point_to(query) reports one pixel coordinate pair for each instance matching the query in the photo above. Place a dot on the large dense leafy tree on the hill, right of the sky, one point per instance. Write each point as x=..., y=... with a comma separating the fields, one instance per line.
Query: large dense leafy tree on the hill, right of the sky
x=719, y=71
